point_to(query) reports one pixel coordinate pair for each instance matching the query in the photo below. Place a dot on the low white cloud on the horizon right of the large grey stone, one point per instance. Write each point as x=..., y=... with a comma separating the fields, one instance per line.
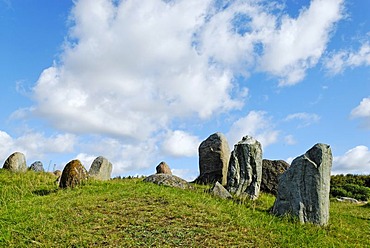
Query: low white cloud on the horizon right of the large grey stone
x=354, y=161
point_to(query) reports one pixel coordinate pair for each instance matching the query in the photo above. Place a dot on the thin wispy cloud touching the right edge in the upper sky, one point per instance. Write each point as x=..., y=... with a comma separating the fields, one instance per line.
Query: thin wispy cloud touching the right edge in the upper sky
x=339, y=61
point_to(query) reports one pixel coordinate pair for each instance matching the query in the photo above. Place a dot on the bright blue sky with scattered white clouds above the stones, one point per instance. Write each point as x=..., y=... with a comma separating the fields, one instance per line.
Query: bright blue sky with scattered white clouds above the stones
x=140, y=82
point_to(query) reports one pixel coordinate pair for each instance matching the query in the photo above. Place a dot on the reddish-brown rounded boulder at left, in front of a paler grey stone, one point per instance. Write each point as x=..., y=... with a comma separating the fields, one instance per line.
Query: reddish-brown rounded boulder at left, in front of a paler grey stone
x=74, y=173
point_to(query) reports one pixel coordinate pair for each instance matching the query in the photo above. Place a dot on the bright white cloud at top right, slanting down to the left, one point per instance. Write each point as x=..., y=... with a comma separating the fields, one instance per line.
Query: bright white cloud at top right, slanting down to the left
x=298, y=43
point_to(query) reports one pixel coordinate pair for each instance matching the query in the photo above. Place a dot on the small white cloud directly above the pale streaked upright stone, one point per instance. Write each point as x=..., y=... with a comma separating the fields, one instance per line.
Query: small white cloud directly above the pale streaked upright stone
x=256, y=124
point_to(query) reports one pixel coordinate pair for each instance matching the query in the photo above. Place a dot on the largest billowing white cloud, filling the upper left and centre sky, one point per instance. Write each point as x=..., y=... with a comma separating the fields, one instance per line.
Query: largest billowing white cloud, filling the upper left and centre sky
x=141, y=73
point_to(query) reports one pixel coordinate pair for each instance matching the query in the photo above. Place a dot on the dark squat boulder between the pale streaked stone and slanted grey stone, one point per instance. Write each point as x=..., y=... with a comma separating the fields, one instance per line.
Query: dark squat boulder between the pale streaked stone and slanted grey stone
x=271, y=171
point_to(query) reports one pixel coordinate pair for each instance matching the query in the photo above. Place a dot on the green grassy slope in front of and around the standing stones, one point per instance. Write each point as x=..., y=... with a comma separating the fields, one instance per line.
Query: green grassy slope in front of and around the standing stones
x=131, y=213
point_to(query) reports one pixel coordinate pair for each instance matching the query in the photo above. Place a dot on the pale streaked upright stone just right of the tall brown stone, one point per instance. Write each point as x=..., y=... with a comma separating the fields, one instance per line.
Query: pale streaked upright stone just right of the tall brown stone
x=245, y=168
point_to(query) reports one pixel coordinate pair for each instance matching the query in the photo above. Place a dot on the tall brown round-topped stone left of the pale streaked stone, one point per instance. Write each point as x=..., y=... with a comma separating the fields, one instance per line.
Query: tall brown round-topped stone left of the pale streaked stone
x=214, y=155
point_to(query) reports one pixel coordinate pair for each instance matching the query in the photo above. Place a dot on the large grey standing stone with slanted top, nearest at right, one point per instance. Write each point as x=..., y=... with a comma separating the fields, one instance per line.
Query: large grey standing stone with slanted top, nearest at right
x=303, y=189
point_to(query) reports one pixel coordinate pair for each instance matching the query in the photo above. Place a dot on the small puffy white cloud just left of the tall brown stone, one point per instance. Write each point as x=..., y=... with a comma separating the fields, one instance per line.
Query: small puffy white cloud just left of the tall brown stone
x=180, y=144
